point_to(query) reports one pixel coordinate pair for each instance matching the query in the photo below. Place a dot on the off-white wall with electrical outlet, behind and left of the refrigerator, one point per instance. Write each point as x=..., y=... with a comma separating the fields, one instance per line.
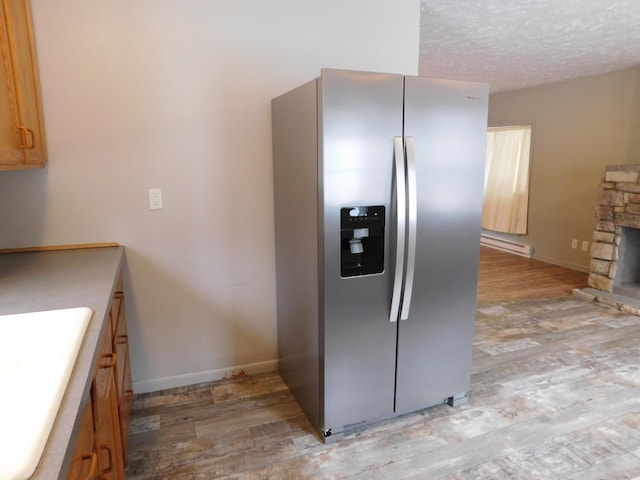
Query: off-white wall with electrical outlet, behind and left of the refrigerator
x=161, y=93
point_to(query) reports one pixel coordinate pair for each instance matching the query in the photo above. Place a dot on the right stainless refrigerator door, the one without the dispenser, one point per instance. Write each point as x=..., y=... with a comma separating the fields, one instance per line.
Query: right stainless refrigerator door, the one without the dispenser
x=447, y=122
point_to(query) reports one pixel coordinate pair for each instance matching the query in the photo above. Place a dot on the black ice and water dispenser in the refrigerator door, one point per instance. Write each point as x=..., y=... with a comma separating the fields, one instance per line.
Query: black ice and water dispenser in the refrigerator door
x=362, y=240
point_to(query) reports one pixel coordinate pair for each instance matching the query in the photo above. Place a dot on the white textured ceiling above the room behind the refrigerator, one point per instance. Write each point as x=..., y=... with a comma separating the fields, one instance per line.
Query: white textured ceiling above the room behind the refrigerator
x=522, y=43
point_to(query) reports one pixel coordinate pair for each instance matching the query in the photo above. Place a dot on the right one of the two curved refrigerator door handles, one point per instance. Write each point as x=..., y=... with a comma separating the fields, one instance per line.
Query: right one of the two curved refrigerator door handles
x=412, y=196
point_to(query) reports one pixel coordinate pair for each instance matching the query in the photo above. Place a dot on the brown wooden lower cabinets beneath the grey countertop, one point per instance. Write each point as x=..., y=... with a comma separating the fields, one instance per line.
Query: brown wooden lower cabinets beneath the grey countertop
x=101, y=448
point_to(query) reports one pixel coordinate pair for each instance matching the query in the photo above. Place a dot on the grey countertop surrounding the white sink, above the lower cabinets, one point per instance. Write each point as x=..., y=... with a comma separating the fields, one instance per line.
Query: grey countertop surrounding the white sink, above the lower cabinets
x=57, y=279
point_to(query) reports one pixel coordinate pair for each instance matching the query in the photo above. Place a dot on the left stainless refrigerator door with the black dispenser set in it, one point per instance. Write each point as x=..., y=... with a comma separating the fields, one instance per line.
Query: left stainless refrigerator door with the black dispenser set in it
x=360, y=114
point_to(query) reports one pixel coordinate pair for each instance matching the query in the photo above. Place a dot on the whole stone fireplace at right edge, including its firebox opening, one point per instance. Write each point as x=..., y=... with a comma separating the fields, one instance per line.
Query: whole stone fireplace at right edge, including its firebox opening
x=615, y=251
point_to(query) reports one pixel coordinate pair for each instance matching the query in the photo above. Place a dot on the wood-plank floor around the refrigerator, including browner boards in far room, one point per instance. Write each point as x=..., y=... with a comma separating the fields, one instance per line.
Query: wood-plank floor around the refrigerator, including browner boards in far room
x=555, y=394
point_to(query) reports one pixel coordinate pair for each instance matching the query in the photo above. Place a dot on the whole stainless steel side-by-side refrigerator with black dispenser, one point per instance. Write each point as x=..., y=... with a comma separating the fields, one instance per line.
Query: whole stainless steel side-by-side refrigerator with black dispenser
x=378, y=182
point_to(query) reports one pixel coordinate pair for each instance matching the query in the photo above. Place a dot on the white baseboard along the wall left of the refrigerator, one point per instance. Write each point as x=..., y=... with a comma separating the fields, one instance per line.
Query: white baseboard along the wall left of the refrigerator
x=163, y=383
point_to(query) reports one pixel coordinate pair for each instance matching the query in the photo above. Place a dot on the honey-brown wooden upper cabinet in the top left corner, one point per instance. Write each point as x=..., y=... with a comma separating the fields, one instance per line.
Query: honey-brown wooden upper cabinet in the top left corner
x=22, y=138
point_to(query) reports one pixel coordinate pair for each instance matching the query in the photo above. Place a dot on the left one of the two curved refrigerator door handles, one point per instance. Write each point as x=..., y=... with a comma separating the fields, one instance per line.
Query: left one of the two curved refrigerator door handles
x=401, y=213
